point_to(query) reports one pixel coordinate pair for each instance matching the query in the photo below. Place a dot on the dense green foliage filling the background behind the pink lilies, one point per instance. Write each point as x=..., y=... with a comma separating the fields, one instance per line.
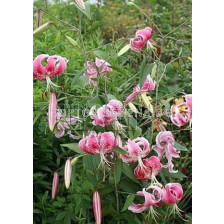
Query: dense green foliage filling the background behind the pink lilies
x=109, y=30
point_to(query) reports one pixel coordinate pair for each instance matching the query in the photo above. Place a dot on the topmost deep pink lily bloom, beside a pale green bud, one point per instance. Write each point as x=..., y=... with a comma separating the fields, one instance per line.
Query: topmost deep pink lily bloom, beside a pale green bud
x=139, y=42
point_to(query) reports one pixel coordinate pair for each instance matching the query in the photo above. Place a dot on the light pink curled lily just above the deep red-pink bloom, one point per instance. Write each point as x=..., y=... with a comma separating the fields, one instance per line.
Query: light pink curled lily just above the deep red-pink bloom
x=137, y=148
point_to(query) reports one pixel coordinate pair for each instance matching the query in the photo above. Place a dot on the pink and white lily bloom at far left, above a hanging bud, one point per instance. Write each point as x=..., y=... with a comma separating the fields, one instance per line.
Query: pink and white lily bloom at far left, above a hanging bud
x=55, y=66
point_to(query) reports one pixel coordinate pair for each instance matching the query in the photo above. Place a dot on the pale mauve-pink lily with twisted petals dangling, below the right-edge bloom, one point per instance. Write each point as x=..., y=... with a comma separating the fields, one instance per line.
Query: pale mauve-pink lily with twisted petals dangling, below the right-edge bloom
x=165, y=145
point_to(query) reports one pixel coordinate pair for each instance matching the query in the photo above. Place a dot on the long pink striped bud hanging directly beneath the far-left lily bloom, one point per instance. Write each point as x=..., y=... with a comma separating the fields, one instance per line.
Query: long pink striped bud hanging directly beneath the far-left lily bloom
x=52, y=111
